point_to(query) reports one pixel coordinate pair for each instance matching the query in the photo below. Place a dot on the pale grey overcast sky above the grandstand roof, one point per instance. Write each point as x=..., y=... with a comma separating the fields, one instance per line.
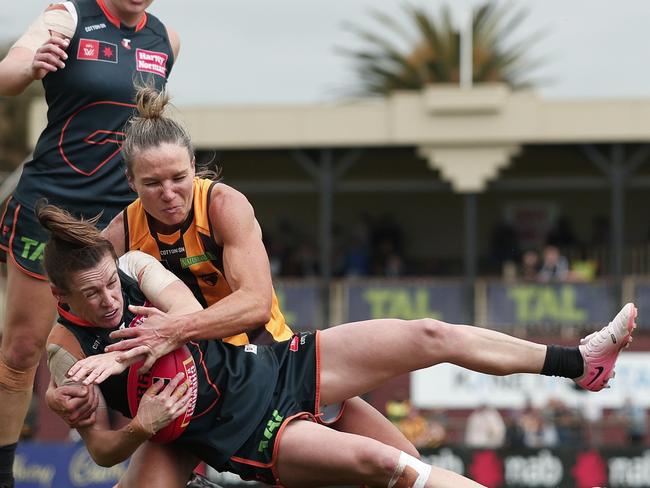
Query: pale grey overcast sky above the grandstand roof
x=258, y=51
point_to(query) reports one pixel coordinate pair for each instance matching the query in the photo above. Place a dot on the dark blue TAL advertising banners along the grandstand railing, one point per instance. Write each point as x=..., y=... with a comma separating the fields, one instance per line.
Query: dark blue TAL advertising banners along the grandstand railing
x=525, y=308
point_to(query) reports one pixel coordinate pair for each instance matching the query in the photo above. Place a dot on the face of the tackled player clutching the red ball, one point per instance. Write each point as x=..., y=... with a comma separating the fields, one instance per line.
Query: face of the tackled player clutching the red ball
x=96, y=294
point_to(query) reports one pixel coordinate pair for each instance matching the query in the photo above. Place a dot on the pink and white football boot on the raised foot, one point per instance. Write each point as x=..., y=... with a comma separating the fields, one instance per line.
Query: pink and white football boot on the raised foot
x=600, y=349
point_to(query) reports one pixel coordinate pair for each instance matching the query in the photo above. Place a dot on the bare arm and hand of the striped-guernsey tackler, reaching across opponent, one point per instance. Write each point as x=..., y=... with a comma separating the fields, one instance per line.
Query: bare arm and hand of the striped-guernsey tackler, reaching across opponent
x=246, y=268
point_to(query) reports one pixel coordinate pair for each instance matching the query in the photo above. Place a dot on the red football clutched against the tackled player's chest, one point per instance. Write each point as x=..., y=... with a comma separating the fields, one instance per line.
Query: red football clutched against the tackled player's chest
x=165, y=369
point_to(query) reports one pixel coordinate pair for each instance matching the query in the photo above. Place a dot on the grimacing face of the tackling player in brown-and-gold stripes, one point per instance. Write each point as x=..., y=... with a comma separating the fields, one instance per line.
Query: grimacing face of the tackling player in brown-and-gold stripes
x=163, y=178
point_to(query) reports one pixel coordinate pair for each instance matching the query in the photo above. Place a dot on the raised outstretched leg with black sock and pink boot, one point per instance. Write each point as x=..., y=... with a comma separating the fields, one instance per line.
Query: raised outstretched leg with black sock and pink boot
x=358, y=357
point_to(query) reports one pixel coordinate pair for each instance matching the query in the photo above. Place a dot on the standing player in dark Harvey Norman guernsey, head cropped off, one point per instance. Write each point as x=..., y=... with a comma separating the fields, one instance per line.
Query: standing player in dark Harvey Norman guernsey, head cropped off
x=87, y=54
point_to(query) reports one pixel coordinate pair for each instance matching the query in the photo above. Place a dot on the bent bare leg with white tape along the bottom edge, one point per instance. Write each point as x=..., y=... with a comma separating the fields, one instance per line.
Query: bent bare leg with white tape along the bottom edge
x=313, y=455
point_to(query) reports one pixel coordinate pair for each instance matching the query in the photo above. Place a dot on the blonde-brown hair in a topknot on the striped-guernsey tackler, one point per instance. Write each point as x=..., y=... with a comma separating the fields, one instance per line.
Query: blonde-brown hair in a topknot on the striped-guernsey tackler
x=150, y=127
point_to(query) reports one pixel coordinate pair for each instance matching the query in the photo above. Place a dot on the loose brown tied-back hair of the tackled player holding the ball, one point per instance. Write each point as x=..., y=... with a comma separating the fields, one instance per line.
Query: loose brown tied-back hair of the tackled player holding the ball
x=74, y=244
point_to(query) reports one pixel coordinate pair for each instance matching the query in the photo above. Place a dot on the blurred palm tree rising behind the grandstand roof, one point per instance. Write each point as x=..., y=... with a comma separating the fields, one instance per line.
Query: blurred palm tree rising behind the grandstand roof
x=432, y=54
